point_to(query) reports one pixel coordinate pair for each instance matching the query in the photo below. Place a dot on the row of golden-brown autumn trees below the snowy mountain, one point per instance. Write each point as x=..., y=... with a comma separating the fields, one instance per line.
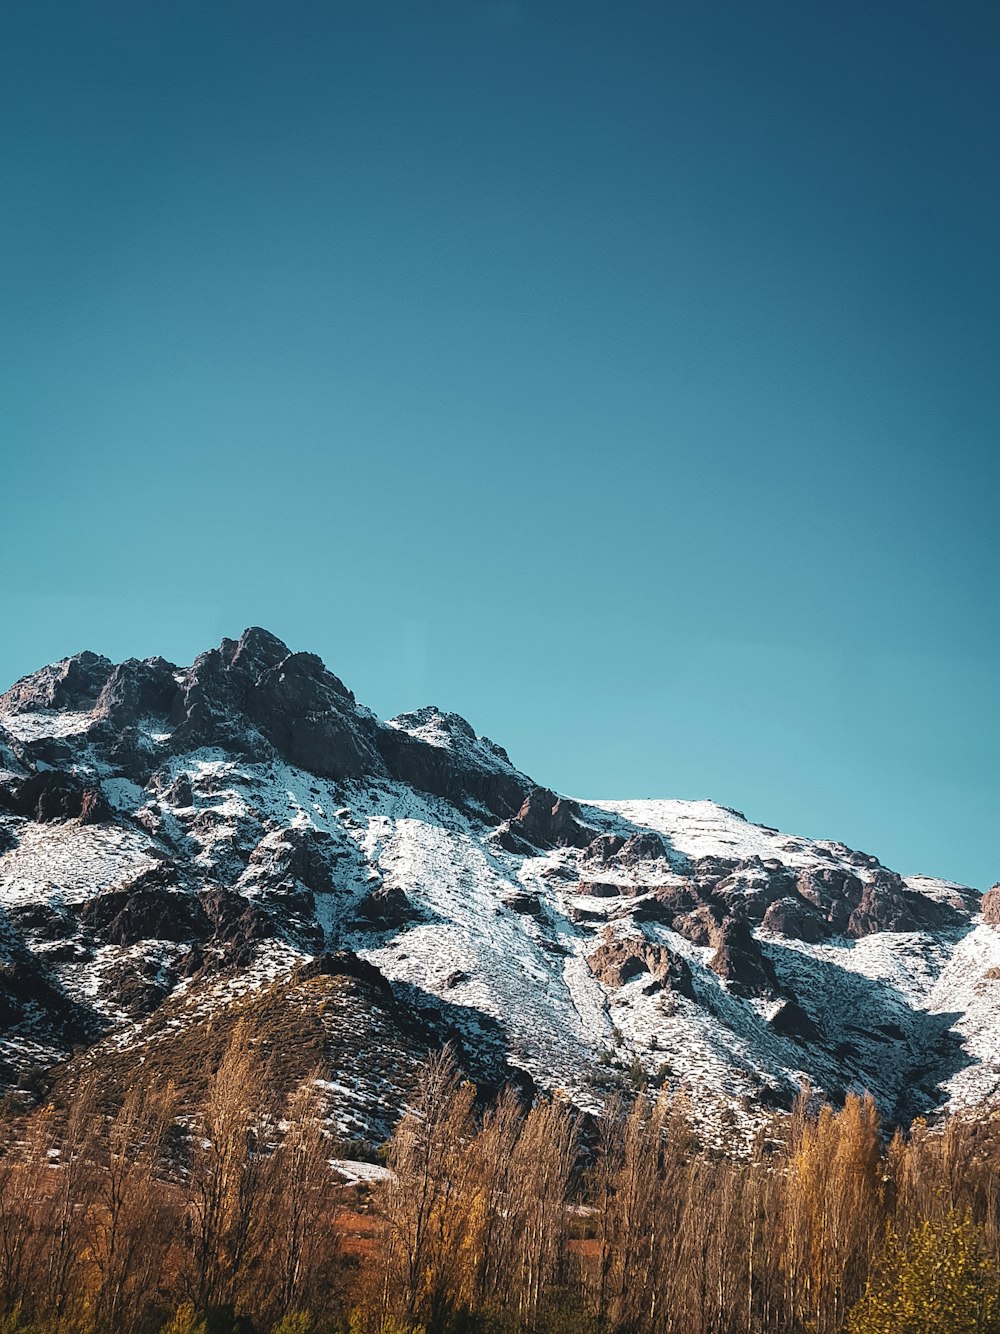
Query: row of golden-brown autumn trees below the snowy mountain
x=499, y=1219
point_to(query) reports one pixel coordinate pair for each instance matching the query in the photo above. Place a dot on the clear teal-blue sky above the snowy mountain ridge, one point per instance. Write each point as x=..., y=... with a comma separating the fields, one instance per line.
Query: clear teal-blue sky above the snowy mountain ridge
x=625, y=377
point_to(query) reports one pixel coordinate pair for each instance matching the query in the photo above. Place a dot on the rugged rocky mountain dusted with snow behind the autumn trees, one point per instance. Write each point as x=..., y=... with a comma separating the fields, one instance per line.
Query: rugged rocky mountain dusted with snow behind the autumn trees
x=185, y=848
